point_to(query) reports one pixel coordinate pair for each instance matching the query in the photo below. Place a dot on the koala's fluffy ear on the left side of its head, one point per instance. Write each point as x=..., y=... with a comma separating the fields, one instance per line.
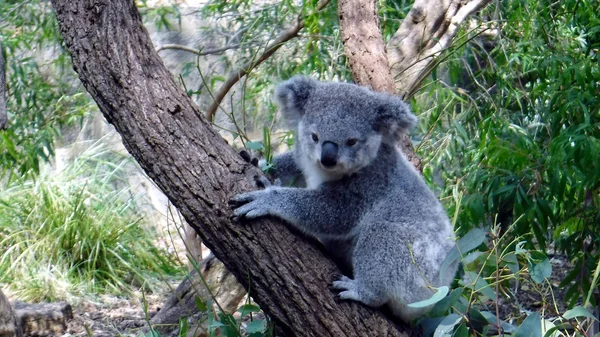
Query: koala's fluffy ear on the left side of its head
x=292, y=95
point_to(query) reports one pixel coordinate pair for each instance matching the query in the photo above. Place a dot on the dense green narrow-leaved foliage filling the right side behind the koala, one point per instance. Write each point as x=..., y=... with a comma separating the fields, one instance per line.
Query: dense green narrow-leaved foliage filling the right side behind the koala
x=515, y=130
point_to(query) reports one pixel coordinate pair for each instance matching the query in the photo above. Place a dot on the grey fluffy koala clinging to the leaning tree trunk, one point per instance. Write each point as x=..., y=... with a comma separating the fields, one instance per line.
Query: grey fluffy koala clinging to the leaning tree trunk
x=363, y=200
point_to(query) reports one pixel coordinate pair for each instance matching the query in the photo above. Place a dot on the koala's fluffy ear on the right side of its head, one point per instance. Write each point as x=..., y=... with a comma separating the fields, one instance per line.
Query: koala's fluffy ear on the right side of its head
x=393, y=117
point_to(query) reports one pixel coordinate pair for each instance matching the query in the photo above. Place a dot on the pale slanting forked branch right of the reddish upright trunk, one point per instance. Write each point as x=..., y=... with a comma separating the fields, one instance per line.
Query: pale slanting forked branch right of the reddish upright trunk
x=427, y=30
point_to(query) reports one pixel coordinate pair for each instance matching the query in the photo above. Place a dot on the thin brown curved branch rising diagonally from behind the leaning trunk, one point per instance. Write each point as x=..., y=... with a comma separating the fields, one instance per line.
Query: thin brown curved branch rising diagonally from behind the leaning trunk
x=289, y=34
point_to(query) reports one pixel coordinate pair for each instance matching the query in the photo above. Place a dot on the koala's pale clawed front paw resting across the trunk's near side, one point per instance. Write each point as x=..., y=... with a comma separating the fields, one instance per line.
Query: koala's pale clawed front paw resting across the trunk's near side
x=252, y=205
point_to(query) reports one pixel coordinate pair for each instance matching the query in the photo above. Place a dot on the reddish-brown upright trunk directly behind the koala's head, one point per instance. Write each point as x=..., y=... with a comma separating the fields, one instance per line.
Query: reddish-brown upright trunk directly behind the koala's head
x=367, y=57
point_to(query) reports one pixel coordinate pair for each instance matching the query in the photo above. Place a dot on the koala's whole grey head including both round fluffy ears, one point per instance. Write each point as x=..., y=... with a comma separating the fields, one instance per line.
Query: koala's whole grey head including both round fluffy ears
x=340, y=126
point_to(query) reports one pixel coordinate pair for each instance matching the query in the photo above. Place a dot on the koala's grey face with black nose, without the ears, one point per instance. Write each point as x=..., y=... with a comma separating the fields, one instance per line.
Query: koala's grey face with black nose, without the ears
x=334, y=137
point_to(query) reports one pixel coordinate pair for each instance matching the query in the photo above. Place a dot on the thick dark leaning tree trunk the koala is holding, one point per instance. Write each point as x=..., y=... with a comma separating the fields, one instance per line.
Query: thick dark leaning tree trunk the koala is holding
x=199, y=172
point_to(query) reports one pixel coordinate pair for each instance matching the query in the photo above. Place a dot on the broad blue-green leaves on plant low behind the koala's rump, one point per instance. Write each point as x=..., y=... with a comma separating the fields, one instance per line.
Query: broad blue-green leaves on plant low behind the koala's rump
x=496, y=275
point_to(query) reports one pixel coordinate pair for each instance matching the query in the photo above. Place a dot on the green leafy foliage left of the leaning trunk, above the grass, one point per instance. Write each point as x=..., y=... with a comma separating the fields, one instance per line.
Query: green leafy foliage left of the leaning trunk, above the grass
x=42, y=94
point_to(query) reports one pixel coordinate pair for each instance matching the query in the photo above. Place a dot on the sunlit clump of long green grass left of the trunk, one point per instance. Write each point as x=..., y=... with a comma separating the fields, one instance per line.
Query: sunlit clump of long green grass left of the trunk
x=77, y=232
